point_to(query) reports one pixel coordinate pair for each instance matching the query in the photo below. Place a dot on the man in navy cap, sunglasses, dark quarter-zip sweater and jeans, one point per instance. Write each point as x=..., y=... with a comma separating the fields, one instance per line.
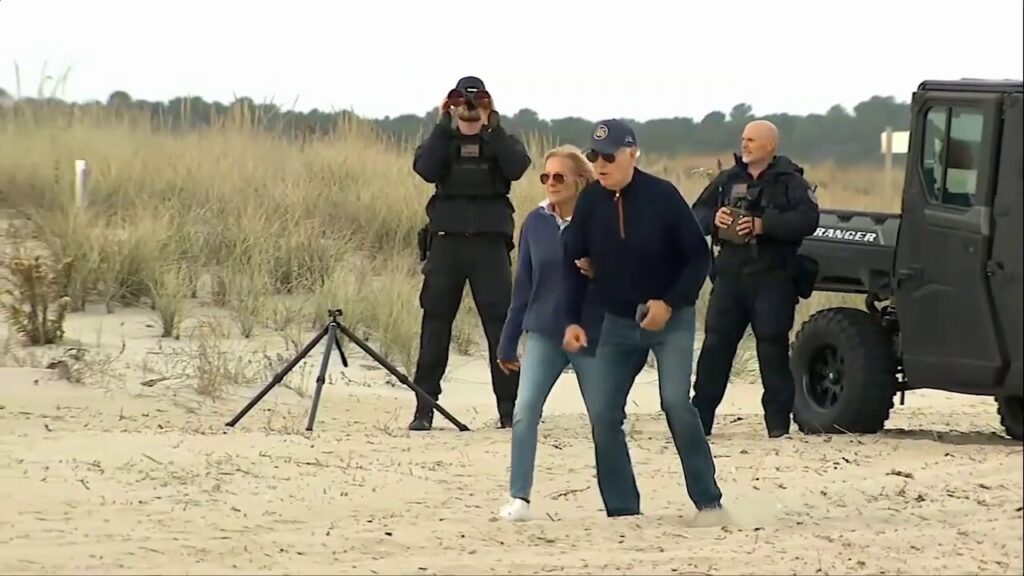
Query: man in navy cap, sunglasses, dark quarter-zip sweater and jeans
x=646, y=252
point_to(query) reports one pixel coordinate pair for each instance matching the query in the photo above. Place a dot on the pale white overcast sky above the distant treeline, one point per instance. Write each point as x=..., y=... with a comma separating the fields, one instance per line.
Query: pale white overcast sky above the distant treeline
x=592, y=59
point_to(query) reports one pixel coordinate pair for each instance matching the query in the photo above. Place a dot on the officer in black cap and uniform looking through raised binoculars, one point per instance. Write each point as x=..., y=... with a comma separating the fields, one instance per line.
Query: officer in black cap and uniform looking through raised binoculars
x=468, y=236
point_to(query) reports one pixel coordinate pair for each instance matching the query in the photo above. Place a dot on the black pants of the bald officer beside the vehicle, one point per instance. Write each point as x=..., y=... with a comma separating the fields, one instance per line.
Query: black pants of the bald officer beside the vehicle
x=767, y=303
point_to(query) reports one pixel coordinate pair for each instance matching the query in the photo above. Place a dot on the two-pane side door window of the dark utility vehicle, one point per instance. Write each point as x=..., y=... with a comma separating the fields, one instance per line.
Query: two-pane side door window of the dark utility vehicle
x=952, y=155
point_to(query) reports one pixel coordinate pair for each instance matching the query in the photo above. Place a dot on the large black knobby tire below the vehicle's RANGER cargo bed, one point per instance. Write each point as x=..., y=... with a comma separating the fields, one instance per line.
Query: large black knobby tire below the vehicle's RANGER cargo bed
x=844, y=368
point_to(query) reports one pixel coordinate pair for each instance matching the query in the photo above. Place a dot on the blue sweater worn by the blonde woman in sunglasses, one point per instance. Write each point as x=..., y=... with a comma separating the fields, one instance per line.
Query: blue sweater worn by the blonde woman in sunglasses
x=539, y=291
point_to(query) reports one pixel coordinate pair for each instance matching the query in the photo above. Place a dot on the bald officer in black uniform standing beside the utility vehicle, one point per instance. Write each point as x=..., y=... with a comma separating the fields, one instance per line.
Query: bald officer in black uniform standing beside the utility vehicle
x=758, y=213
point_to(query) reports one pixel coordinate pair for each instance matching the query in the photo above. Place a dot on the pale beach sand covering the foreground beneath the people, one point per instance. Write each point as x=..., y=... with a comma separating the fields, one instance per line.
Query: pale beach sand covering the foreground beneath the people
x=123, y=473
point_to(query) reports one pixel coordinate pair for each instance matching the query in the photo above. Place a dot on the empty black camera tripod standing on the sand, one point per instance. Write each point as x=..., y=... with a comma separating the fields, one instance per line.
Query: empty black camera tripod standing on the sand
x=332, y=331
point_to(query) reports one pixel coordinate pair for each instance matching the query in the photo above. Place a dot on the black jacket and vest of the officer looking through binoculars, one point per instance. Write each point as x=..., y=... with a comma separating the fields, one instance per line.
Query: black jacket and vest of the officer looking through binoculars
x=489, y=209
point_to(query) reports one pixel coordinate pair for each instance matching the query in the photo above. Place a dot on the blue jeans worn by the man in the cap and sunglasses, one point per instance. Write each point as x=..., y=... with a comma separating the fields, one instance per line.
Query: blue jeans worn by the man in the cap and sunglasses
x=621, y=356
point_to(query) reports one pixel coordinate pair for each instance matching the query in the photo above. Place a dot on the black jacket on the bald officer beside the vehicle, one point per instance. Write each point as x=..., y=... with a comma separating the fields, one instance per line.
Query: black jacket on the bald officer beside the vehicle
x=786, y=204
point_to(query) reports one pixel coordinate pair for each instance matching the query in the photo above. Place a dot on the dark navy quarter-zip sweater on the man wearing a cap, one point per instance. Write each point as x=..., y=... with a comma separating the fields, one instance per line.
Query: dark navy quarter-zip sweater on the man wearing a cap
x=644, y=244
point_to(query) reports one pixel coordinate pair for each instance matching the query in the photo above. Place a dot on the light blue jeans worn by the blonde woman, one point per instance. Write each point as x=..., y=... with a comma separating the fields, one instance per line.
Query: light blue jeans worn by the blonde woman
x=543, y=363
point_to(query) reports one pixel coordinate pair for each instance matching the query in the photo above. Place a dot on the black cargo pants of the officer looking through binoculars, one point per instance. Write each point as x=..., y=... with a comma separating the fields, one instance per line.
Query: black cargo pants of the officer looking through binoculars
x=484, y=261
